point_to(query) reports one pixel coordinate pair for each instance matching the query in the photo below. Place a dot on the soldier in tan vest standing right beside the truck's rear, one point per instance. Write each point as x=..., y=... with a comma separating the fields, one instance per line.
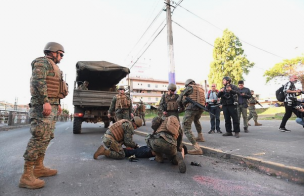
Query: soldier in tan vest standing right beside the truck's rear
x=122, y=105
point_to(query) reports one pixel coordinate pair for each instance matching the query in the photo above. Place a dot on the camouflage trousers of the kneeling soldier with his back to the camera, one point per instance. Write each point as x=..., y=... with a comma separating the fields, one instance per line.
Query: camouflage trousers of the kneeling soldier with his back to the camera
x=160, y=145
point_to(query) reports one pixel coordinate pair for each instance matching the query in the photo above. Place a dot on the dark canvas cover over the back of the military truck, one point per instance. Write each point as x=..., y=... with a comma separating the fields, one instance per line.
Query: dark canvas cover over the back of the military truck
x=101, y=75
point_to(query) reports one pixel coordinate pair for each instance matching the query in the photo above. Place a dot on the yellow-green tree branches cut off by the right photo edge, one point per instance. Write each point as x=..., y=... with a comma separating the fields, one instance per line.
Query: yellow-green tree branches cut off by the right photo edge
x=286, y=68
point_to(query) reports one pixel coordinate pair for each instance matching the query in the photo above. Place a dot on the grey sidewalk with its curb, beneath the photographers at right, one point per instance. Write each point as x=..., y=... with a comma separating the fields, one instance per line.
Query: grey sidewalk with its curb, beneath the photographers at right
x=264, y=148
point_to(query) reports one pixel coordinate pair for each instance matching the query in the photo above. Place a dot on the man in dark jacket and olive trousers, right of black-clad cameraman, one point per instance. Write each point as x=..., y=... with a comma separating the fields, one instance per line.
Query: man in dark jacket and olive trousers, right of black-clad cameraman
x=243, y=96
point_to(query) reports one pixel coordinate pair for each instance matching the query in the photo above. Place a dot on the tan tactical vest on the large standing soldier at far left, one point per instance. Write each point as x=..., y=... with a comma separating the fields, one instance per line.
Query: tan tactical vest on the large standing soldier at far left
x=56, y=87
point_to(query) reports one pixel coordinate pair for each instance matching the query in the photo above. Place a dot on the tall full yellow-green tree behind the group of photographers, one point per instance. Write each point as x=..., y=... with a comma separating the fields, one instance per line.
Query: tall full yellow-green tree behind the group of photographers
x=229, y=60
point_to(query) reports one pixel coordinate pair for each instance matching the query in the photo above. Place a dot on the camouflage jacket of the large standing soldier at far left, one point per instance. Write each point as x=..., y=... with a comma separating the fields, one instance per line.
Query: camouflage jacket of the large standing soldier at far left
x=40, y=70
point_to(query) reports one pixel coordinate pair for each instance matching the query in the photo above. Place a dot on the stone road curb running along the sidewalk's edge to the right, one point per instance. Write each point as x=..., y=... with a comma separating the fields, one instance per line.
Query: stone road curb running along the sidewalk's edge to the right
x=294, y=174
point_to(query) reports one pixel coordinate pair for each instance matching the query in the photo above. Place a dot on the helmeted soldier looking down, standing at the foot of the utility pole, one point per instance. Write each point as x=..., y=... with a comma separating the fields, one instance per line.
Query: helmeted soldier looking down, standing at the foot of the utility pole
x=168, y=103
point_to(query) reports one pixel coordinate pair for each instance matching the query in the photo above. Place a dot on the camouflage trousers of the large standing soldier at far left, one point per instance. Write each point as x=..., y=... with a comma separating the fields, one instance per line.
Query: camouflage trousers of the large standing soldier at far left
x=42, y=130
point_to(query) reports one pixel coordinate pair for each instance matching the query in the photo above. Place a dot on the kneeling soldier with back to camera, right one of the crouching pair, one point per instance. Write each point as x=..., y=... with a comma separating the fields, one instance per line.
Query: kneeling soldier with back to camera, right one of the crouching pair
x=167, y=139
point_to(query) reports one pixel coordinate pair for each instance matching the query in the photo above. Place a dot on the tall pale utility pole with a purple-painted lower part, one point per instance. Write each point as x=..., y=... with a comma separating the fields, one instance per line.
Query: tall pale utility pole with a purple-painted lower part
x=170, y=45
